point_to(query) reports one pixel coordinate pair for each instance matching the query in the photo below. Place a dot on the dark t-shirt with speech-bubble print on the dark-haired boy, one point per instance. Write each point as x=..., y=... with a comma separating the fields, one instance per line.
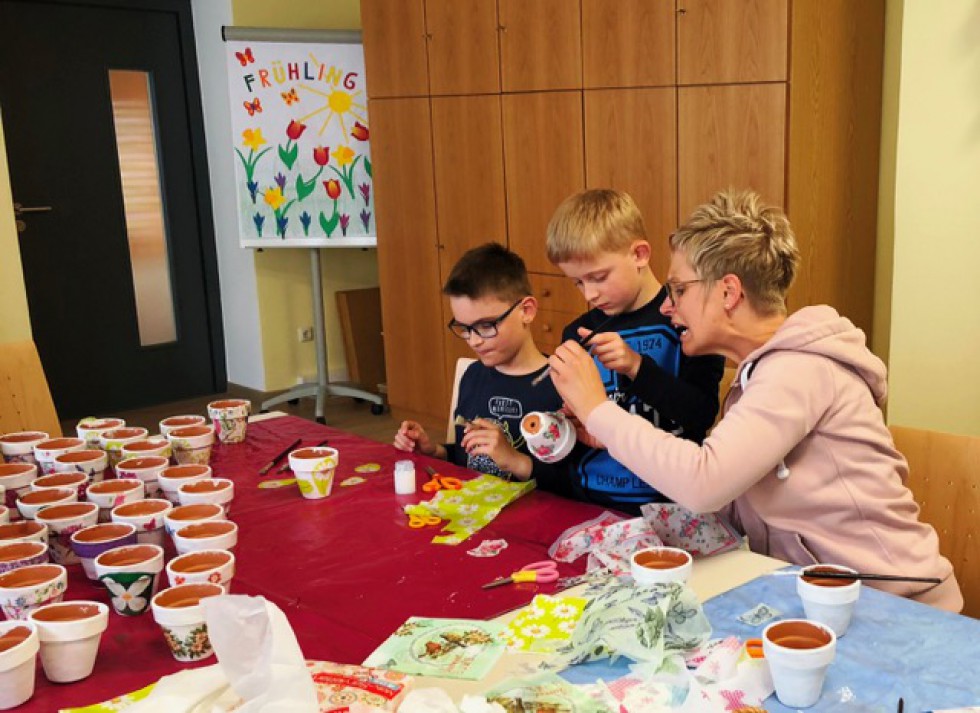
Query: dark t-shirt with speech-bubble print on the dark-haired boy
x=486, y=393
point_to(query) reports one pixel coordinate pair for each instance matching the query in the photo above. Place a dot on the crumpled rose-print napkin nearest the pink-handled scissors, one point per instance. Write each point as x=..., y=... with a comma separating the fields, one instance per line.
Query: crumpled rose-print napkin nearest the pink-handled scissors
x=608, y=540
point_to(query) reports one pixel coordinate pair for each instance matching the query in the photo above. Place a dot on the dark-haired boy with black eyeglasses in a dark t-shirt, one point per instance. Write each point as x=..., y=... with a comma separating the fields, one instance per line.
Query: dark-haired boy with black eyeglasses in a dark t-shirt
x=490, y=297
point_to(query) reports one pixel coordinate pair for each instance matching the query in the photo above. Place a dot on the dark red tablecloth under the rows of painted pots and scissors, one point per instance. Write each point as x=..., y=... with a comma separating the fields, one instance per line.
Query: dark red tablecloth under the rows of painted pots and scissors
x=347, y=570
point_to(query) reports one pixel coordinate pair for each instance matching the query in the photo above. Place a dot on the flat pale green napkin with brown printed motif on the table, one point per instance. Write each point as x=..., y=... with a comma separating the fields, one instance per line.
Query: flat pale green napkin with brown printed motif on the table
x=448, y=648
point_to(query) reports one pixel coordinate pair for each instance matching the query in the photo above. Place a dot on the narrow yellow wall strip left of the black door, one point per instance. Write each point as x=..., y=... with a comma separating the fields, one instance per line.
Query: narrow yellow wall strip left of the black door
x=15, y=323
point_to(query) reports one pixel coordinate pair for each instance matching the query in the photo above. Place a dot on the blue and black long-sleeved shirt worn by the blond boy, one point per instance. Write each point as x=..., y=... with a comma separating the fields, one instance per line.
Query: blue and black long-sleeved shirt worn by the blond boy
x=674, y=392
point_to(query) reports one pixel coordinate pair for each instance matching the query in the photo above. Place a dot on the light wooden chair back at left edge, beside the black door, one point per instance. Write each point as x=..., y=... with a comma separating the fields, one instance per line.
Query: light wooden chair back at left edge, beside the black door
x=25, y=400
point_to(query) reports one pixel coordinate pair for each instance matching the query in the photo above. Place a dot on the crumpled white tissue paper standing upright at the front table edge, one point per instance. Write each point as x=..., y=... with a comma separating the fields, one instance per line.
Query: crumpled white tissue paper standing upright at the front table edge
x=260, y=665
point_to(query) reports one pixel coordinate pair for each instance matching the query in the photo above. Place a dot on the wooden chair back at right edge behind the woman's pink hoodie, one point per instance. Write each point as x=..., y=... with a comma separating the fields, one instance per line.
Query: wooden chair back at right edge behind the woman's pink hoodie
x=944, y=476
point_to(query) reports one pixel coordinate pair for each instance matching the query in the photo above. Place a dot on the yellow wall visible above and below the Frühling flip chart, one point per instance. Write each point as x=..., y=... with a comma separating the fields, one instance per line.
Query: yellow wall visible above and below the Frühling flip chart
x=283, y=276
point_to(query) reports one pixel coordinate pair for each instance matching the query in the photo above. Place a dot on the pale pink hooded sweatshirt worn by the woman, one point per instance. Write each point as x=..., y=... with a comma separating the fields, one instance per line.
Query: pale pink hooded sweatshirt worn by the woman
x=802, y=461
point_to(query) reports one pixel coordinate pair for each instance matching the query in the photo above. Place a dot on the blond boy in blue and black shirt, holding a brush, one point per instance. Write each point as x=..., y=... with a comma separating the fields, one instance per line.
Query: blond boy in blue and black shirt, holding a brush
x=597, y=238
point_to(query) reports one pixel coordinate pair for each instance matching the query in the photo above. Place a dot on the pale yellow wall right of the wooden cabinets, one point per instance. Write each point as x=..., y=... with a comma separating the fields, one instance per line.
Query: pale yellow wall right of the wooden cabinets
x=935, y=295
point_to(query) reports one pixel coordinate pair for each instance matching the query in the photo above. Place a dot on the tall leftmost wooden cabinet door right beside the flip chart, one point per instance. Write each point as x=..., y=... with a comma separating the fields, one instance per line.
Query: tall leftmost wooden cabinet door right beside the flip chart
x=408, y=263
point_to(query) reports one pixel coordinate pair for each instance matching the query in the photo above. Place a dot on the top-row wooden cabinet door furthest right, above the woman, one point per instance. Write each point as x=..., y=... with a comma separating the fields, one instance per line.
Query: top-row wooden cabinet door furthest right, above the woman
x=728, y=41
